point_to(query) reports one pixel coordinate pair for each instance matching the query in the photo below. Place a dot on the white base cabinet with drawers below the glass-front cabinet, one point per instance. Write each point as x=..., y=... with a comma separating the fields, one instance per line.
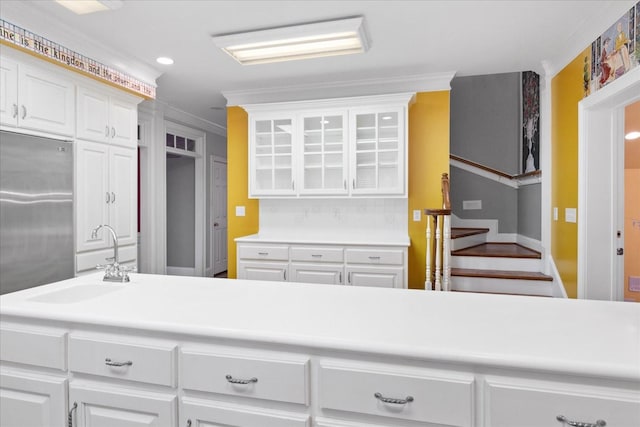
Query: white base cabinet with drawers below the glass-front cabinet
x=324, y=264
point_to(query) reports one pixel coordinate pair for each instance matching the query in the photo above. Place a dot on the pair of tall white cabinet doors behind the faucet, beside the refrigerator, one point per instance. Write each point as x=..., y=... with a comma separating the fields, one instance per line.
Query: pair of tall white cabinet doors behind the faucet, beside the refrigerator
x=106, y=179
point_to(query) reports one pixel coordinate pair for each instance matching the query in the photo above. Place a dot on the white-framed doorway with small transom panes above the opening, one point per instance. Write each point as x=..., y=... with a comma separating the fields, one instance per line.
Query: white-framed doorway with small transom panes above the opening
x=185, y=201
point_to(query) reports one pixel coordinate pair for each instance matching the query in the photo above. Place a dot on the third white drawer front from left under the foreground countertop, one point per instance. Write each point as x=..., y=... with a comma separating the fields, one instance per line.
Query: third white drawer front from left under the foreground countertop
x=280, y=380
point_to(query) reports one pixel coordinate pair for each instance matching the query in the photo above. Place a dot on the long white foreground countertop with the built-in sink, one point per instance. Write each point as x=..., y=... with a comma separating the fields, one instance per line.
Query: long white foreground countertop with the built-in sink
x=594, y=338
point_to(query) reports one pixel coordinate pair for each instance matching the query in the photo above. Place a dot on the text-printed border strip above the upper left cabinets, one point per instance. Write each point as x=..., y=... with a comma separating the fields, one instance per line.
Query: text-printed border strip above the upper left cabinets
x=40, y=46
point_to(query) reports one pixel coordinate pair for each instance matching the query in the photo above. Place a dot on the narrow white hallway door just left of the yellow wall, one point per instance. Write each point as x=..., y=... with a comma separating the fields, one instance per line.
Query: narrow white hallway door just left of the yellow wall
x=219, y=214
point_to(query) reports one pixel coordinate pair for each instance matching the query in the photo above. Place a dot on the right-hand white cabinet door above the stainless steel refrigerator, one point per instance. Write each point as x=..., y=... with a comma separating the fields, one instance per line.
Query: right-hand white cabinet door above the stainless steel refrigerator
x=46, y=101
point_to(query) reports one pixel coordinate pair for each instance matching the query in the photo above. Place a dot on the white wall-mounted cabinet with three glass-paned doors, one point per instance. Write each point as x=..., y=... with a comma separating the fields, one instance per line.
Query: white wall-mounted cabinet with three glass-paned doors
x=331, y=147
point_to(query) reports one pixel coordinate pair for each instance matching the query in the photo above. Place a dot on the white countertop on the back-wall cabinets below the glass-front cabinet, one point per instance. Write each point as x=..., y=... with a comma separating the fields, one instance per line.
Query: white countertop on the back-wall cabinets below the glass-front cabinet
x=322, y=237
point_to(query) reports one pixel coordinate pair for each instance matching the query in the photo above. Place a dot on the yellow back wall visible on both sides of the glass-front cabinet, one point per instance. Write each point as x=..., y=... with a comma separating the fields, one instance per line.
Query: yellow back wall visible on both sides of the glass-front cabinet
x=428, y=159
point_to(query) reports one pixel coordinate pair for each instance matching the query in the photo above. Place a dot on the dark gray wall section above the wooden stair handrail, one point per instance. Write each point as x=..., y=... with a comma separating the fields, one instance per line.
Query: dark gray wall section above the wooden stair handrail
x=485, y=120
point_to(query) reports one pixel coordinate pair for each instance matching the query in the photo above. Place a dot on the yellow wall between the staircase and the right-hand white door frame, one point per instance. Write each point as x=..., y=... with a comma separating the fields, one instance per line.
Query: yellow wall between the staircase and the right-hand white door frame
x=566, y=91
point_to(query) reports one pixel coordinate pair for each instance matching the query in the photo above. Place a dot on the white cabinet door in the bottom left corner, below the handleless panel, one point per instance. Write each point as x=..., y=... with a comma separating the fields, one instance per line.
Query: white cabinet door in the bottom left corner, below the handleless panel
x=32, y=400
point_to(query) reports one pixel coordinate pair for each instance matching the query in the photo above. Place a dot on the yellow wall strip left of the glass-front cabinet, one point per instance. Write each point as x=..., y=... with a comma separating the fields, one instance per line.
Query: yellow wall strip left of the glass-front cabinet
x=238, y=184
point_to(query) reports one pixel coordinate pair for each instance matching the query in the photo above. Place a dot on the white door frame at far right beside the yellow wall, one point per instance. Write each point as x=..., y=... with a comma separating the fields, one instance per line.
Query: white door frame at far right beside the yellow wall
x=601, y=120
